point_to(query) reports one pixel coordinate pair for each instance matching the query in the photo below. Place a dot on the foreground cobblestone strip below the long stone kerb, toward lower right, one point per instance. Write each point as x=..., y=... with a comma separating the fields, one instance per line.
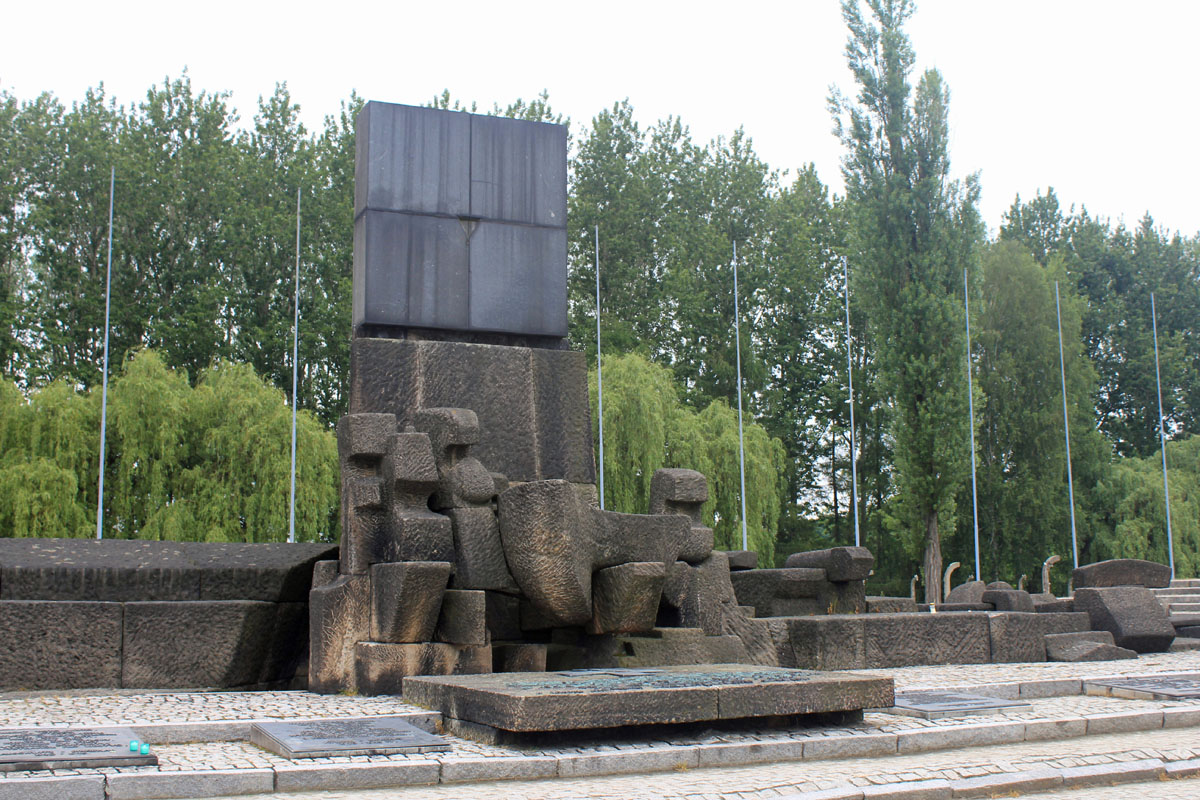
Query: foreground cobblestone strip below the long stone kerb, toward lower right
x=761, y=783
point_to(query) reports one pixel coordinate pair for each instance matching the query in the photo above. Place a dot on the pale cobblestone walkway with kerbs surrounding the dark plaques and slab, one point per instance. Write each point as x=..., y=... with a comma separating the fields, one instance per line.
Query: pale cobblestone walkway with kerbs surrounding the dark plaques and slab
x=1063, y=738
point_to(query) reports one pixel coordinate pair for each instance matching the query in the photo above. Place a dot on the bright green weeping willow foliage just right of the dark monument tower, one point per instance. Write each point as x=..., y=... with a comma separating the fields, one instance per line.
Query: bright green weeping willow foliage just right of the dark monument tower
x=647, y=429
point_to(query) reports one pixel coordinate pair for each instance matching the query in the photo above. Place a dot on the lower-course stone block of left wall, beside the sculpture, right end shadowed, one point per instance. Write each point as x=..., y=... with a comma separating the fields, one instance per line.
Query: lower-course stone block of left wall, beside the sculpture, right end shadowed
x=197, y=645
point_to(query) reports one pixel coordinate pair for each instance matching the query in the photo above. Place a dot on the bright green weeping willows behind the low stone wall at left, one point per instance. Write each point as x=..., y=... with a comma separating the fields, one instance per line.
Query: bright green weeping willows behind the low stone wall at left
x=211, y=464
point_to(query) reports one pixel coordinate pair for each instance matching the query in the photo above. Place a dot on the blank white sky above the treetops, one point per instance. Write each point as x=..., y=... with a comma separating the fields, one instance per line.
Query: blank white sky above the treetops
x=1095, y=98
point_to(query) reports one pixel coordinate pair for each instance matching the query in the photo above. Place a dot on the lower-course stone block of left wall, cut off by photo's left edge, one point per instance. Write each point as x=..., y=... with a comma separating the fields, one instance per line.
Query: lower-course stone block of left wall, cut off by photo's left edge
x=62, y=645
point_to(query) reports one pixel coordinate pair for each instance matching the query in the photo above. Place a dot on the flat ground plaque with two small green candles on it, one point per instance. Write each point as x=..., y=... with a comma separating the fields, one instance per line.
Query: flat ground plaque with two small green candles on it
x=59, y=749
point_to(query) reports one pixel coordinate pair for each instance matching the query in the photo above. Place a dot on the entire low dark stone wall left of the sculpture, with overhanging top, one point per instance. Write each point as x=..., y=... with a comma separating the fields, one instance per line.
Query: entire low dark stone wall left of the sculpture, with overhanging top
x=141, y=615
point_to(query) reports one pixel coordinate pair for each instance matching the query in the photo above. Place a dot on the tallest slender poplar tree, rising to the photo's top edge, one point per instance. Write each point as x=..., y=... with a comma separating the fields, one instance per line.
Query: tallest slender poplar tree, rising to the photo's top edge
x=915, y=232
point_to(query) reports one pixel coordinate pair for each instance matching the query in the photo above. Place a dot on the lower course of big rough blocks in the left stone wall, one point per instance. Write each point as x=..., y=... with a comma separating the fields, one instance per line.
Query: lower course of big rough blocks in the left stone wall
x=158, y=645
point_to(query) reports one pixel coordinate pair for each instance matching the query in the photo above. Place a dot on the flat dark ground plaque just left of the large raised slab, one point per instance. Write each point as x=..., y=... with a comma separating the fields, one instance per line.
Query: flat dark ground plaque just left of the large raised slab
x=346, y=737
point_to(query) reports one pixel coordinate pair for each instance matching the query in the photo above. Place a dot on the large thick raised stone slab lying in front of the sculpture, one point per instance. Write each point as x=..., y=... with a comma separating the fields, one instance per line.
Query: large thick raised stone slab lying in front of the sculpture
x=584, y=700
